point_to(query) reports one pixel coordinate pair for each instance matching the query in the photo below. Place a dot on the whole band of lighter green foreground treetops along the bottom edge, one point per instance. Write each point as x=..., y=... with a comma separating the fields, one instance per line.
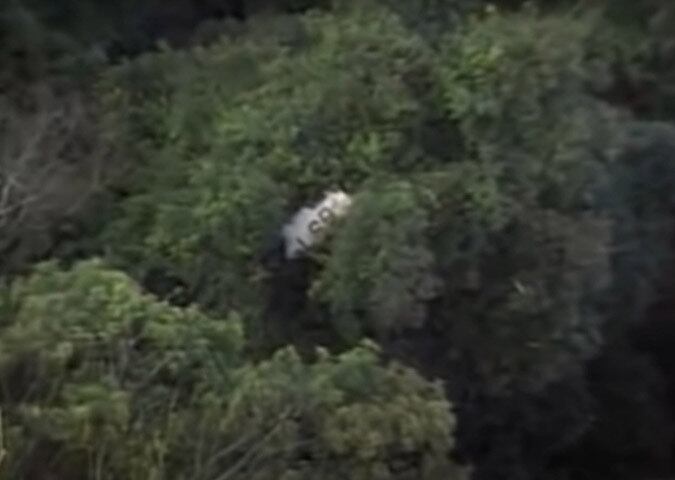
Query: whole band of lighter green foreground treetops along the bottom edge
x=100, y=381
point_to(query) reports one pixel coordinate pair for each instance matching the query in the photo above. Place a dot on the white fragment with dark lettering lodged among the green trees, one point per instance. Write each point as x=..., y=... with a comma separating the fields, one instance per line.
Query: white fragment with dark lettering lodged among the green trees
x=308, y=226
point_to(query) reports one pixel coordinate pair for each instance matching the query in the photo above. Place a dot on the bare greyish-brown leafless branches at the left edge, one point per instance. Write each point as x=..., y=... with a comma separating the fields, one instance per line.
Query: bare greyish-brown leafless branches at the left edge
x=52, y=160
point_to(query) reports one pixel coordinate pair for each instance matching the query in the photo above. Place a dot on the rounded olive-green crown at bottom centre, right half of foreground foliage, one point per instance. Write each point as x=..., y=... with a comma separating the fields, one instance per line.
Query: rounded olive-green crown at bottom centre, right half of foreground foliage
x=344, y=417
